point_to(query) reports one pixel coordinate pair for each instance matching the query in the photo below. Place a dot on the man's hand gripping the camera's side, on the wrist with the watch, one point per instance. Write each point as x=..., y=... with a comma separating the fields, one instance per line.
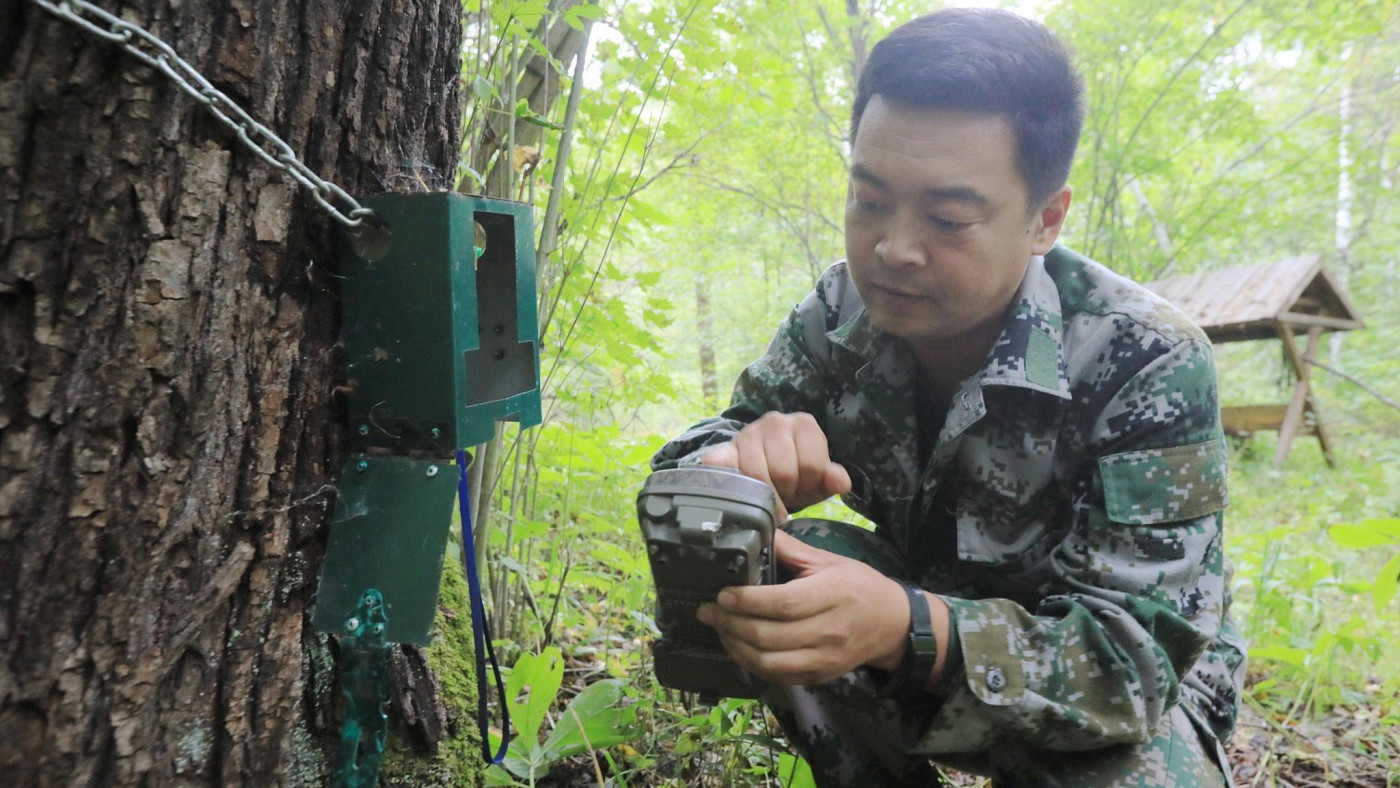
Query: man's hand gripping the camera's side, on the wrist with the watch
x=835, y=617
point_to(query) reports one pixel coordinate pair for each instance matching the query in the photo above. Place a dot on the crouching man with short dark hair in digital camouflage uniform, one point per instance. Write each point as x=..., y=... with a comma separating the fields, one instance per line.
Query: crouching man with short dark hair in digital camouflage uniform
x=1037, y=439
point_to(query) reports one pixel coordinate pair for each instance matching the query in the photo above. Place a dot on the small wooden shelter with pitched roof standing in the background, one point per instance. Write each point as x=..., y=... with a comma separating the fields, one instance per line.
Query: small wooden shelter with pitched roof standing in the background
x=1269, y=302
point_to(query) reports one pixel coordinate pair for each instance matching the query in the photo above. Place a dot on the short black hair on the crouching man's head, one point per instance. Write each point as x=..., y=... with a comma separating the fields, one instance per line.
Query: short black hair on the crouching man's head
x=986, y=61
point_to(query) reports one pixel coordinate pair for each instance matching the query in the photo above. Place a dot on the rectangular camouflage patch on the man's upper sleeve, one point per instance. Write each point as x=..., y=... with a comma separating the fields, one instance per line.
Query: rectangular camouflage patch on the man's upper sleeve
x=1151, y=486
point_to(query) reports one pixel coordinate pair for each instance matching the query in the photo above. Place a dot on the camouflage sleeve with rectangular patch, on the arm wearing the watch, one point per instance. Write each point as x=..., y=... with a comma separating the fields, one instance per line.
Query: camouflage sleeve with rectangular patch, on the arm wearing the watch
x=1133, y=594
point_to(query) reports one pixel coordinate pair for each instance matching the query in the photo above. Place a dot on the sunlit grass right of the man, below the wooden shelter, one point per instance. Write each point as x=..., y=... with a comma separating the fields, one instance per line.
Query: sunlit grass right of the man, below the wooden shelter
x=1322, y=701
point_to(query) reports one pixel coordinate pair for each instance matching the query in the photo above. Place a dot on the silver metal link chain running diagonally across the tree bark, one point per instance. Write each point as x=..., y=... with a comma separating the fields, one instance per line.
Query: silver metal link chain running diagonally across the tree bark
x=258, y=138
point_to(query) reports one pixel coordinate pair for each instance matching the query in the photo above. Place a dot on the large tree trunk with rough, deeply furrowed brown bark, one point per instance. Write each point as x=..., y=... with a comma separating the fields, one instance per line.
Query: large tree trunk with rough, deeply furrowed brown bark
x=170, y=435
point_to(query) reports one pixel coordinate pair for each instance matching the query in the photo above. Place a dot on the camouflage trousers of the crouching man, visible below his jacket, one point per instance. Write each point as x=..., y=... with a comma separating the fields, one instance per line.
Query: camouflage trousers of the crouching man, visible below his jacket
x=852, y=736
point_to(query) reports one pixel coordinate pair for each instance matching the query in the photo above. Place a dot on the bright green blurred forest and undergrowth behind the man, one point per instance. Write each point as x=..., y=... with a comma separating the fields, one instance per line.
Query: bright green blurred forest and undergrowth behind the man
x=689, y=184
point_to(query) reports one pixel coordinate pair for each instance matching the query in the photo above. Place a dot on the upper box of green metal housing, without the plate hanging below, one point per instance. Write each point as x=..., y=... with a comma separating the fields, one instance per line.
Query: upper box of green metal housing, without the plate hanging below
x=442, y=332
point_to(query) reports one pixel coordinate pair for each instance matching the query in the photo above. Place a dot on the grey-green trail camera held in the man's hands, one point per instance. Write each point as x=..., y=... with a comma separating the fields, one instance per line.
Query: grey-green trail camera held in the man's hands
x=706, y=530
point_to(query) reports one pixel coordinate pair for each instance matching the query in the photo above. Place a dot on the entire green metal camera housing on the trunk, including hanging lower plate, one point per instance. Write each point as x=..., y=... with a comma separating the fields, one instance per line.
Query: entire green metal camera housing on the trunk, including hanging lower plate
x=440, y=335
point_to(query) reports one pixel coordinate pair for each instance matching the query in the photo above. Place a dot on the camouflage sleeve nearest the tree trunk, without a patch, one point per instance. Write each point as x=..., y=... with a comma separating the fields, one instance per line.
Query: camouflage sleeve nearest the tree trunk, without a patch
x=792, y=376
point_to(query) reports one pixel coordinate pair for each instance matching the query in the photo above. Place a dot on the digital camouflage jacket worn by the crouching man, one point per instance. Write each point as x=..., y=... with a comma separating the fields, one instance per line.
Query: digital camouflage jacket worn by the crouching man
x=1070, y=513
